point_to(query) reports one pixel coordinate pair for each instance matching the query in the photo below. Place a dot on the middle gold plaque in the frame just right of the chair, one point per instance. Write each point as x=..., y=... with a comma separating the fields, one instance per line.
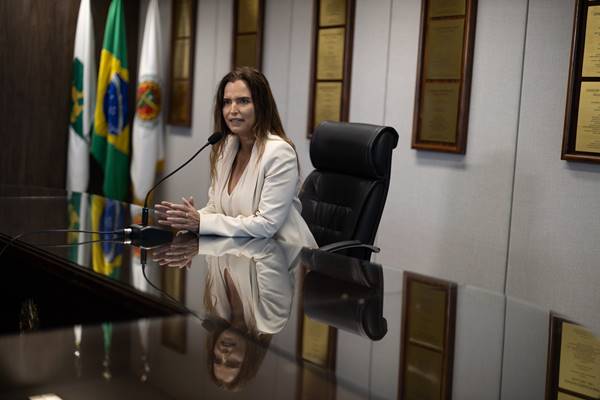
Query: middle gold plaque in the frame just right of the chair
x=444, y=49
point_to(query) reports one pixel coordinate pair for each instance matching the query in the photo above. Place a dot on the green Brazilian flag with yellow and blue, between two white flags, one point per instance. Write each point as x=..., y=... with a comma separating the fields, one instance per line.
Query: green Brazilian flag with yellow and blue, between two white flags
x=110, y=140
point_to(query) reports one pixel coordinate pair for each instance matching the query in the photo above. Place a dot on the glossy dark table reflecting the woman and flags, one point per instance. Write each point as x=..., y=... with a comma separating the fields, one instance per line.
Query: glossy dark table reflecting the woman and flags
x=228, y=319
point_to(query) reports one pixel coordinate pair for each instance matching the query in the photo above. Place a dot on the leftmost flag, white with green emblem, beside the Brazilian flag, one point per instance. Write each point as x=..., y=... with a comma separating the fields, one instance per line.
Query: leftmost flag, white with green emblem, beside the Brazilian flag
x=82, y=101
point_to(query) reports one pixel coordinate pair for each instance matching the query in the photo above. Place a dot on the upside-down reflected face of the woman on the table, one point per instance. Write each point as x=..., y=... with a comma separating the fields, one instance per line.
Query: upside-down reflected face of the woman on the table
x=229, y=352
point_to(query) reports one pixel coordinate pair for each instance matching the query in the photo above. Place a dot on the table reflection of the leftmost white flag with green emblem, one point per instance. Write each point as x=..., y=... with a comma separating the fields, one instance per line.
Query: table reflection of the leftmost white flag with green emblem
x=78, y=220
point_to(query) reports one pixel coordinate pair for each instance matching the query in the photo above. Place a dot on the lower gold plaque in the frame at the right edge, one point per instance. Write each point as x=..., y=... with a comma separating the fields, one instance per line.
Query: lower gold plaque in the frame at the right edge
x=587, y=136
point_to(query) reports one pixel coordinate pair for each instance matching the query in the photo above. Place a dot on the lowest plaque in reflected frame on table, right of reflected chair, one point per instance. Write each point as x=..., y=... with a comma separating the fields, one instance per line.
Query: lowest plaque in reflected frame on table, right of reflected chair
x=423, y=380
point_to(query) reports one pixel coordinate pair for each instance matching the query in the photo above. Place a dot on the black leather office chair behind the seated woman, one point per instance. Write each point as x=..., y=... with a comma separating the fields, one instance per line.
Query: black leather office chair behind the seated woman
x=343, y=198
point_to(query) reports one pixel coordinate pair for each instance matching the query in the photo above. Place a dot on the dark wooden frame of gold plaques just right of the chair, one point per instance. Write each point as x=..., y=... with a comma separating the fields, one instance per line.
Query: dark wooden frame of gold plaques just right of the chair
x=444, y=75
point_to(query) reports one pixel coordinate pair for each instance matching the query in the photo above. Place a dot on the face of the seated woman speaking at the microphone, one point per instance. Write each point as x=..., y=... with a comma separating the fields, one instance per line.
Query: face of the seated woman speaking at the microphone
x=238, y=109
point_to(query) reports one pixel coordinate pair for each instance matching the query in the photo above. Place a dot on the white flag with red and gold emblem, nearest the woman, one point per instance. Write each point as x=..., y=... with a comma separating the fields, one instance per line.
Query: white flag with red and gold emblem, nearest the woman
x=147, y=151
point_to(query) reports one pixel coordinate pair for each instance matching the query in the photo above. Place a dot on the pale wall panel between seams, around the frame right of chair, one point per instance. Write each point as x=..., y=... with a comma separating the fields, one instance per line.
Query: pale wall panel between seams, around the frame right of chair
x=447, y=214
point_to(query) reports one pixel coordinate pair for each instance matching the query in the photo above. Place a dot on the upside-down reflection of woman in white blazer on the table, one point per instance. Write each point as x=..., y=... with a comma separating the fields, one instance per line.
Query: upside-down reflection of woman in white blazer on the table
x=248, y=299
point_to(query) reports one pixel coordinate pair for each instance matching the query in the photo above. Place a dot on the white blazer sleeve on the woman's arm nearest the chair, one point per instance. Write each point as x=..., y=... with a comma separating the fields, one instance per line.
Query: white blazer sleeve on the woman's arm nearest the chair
x=278, y=191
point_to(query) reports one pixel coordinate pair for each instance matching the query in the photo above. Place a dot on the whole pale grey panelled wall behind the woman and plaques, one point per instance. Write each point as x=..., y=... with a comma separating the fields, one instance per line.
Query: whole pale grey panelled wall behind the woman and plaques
x=508, y=215
